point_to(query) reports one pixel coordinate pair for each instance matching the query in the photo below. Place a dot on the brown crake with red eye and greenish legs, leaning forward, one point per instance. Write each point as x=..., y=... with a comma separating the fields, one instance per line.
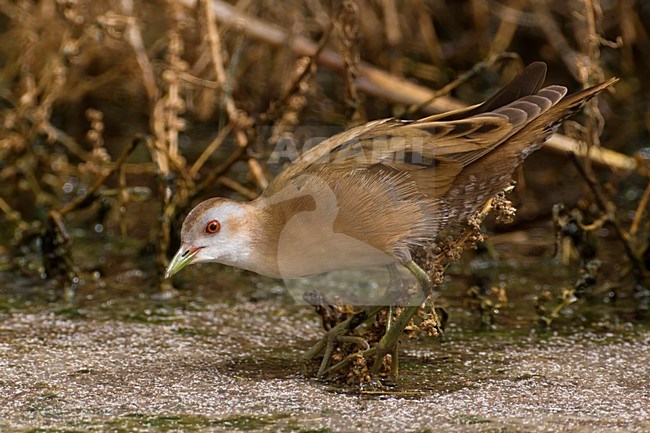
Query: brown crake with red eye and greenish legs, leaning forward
x=368, y=196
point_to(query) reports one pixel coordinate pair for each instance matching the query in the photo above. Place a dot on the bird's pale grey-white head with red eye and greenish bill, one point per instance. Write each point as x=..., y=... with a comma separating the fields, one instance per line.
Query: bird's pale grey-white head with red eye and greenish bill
x=216, y=230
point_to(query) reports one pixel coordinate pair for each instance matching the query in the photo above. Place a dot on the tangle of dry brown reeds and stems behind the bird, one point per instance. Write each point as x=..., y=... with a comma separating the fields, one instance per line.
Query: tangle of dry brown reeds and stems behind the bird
x=117, y=116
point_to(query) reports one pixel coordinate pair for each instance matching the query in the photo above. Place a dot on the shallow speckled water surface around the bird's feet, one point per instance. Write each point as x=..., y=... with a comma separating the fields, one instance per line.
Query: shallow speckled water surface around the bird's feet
x=221, y=354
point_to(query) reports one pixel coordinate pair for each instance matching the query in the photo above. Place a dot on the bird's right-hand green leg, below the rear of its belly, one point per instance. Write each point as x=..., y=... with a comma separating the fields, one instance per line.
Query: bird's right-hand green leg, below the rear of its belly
x=388, y=342
